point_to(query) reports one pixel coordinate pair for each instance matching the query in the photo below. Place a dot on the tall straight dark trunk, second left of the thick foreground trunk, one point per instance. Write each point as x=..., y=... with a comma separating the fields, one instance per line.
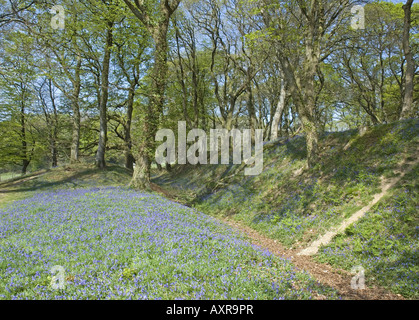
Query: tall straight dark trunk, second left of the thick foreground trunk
x=100, y=156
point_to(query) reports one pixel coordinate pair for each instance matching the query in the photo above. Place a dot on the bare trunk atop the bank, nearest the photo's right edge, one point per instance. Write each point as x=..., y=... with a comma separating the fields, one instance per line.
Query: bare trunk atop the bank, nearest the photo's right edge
x=407, y=109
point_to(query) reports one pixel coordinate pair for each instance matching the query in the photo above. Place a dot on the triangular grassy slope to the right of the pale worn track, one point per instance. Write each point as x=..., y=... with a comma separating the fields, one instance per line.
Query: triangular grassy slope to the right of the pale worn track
x=386, y=241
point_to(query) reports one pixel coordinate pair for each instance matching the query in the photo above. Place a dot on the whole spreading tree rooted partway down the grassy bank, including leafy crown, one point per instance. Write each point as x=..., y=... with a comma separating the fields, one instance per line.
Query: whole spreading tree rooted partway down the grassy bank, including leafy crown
x=308, y=30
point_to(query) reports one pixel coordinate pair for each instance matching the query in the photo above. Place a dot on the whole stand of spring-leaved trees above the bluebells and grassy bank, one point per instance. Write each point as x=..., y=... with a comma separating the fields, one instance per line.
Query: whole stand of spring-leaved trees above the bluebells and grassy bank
x=100, y=88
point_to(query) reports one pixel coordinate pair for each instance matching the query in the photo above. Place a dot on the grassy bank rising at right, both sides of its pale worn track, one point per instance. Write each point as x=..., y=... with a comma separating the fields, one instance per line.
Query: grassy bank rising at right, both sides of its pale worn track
x=295, y=205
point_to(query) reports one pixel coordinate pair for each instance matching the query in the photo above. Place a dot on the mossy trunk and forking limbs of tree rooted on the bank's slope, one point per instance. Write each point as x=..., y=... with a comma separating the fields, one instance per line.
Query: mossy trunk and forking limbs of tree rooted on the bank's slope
x=304, y=80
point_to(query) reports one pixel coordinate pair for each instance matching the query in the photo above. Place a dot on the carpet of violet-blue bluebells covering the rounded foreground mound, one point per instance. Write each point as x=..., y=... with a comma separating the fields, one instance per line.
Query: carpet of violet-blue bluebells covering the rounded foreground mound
x=117, y=243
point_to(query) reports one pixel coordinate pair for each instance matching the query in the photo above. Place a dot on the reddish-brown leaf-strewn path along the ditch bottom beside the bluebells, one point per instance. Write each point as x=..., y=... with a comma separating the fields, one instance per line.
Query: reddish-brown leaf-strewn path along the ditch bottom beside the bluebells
x=324, y=273
